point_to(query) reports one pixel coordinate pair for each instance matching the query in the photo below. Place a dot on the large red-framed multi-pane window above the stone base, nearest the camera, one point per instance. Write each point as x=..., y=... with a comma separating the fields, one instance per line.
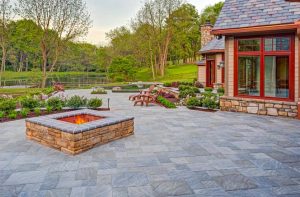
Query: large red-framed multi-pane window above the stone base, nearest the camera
x=264, y=67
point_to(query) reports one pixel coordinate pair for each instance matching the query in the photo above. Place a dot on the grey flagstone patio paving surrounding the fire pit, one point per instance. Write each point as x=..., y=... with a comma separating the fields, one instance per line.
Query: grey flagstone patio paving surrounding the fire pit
x=173, y=153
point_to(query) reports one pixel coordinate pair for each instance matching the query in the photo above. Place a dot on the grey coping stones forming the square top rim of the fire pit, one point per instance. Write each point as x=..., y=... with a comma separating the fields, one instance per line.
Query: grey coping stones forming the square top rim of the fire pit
x=52, y=121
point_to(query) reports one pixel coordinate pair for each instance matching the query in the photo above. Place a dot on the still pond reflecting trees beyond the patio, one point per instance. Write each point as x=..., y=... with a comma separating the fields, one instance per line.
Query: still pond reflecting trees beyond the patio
x=68, y=80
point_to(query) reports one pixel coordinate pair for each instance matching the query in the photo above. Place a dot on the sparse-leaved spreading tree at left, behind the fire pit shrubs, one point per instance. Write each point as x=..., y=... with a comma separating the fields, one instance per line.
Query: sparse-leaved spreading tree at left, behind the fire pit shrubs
x=60, y=20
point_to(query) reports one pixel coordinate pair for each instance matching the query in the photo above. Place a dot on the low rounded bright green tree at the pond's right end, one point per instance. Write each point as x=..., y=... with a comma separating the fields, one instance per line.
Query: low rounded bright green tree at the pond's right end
x=122, y=68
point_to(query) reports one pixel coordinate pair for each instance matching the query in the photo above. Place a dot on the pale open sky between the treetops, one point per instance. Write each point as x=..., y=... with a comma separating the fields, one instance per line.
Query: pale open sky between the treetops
x=109, y=14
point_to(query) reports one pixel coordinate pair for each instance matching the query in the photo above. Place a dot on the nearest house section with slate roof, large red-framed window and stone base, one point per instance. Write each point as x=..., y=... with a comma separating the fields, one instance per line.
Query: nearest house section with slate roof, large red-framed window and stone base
x=262, y=56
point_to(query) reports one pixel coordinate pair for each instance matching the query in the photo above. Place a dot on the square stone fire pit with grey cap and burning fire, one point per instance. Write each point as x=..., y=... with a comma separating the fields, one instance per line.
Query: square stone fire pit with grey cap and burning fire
x=78, y=131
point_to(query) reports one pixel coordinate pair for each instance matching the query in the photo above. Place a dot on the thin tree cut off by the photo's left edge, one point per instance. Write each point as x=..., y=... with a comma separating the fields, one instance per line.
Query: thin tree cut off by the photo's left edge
x=6, y=12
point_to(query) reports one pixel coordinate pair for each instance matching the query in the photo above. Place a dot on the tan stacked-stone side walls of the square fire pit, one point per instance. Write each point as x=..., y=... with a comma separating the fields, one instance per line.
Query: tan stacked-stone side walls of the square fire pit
x=77, y=143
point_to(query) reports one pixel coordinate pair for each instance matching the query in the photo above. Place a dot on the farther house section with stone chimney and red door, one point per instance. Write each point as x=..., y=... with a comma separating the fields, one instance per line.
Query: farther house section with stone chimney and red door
x=211, y=68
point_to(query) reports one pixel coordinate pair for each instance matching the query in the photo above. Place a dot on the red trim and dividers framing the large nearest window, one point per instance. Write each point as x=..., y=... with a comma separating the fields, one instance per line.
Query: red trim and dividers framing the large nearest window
x=262, y=53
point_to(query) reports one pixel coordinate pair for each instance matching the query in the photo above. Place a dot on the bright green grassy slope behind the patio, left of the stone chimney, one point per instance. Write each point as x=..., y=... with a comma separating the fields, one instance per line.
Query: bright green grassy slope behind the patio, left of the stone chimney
x=173, y=73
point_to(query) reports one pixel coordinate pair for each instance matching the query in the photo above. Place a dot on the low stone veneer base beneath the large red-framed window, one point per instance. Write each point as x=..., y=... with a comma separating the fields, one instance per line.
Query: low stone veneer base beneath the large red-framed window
x=260, y=107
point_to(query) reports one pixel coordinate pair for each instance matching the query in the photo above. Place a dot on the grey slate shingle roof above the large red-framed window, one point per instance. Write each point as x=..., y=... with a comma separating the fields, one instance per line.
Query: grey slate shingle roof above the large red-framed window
x=251, y=13
